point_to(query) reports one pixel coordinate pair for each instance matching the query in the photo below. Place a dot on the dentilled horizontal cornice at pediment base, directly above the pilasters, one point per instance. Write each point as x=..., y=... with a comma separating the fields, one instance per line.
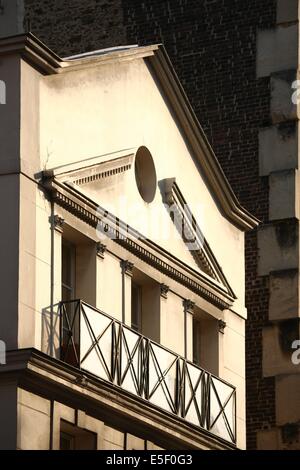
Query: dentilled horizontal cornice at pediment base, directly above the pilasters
x=86, y=210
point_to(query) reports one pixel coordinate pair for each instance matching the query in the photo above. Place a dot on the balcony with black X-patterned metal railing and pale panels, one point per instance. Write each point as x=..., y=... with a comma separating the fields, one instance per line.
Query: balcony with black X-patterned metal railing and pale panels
x=97, y=343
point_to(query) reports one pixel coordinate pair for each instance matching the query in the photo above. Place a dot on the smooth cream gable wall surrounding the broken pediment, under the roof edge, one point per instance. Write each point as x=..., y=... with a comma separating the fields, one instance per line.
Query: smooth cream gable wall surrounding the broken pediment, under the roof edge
x=78, y=120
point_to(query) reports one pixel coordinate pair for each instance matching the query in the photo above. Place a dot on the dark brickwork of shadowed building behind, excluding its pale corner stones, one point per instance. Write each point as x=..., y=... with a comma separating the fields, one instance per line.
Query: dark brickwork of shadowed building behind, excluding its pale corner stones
x=212, y=44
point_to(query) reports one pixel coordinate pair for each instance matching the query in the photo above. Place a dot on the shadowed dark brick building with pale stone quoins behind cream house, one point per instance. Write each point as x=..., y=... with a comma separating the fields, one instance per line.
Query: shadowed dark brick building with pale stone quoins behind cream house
x=238, y=63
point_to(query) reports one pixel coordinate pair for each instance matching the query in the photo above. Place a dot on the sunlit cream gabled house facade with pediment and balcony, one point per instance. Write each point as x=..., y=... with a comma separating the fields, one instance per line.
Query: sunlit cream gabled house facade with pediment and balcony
x=122, y=313
